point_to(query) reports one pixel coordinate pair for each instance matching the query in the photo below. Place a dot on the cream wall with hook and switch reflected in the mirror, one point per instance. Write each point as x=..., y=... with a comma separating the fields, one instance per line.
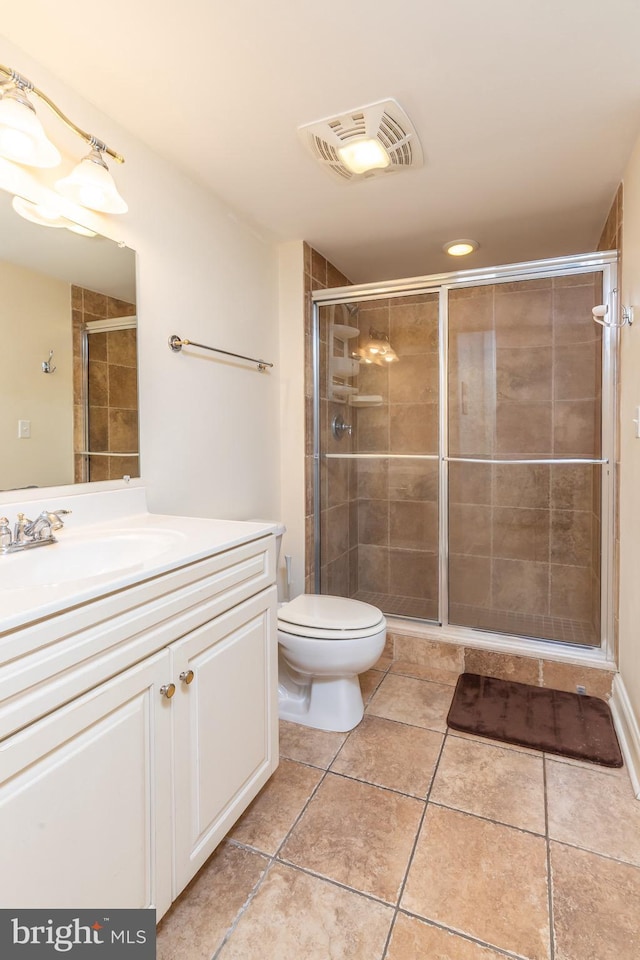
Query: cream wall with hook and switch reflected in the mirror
x=35, y=317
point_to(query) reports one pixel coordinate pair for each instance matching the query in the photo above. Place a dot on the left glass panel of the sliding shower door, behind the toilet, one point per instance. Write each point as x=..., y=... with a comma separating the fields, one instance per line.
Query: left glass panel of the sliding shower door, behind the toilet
x=379, y=467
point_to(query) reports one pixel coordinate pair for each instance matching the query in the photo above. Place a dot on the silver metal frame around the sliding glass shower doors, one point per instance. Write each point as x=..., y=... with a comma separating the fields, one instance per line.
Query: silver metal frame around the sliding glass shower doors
x=599, y=262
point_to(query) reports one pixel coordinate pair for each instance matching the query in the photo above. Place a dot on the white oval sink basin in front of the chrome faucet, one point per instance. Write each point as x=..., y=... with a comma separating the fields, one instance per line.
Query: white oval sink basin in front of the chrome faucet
x=79, y=557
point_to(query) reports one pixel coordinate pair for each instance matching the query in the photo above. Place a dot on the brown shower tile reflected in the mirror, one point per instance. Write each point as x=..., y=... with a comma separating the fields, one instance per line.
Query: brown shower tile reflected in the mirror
x=113, y=388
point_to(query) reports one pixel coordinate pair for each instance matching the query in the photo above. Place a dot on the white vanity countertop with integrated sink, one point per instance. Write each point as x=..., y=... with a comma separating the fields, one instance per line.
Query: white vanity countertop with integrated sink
x=91, y=560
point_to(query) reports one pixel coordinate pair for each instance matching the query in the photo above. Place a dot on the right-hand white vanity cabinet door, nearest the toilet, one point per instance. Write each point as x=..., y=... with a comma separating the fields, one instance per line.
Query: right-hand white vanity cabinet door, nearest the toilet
x=225, y=726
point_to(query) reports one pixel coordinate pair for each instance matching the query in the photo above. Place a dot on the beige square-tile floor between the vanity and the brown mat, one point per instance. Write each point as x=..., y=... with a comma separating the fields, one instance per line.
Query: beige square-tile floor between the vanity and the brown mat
x=402, y=841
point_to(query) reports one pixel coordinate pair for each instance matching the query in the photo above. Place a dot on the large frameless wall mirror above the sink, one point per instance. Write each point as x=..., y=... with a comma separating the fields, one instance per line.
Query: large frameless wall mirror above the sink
x=68, y=379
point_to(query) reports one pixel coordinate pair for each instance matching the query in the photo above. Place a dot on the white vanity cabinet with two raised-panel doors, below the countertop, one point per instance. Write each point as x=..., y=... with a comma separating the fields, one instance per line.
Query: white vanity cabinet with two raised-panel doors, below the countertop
x=136, y=729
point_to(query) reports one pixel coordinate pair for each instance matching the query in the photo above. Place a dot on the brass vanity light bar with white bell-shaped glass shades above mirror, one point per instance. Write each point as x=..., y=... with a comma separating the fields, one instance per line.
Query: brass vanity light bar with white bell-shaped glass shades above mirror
x=23, y=140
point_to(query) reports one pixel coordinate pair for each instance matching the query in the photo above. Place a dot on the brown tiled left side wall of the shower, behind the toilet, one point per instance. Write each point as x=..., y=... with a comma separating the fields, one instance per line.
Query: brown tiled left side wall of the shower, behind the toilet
x=339, y=557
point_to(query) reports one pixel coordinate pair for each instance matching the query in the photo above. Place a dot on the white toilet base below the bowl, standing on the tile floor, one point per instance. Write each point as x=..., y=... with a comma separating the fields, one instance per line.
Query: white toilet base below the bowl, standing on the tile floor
x=325, y=703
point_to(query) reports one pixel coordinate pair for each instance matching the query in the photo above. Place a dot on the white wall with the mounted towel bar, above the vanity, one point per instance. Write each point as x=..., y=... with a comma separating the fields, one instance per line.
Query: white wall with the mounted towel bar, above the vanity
x=209, y=428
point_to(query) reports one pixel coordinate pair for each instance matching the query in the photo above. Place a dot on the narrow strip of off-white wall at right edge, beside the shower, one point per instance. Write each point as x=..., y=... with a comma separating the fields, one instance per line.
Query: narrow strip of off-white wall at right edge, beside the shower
x=629, y=648
